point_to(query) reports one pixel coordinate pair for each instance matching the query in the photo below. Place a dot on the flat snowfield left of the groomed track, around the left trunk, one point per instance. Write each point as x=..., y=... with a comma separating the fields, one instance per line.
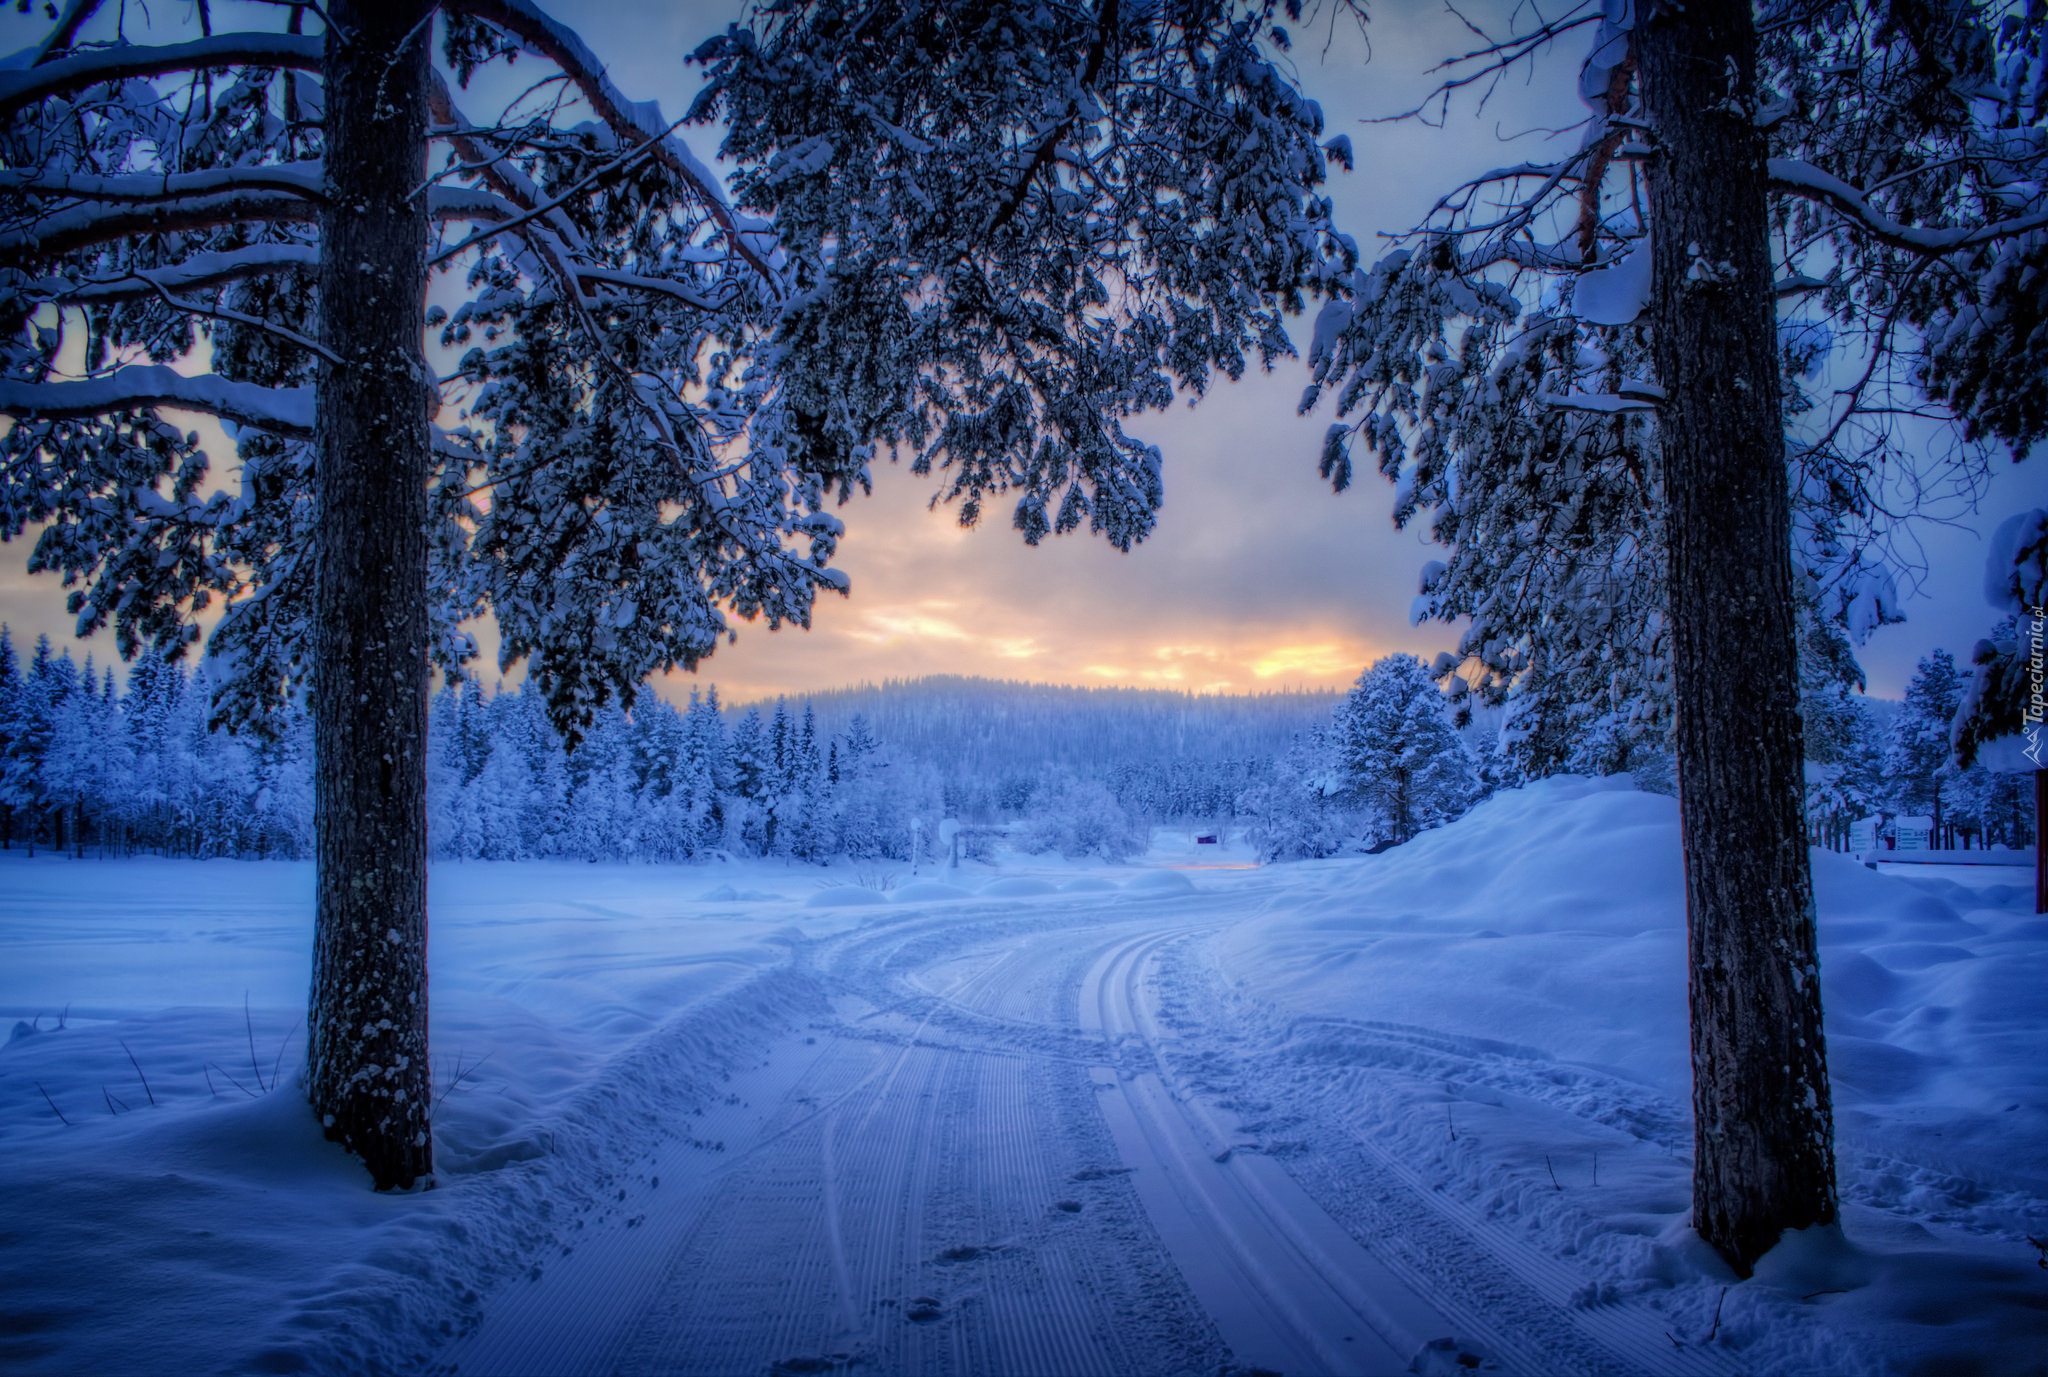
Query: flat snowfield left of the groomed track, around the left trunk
x=216, y=1226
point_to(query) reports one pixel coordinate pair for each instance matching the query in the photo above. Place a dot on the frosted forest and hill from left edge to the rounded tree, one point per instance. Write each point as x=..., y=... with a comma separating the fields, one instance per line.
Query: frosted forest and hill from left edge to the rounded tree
x=863, y=774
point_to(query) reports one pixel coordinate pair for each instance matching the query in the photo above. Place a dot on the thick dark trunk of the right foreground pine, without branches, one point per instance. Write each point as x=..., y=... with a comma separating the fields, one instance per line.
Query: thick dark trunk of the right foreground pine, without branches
x=1764, y=1132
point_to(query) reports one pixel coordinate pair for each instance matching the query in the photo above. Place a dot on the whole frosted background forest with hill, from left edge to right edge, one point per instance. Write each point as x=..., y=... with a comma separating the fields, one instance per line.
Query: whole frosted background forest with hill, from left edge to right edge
x=1082, y=771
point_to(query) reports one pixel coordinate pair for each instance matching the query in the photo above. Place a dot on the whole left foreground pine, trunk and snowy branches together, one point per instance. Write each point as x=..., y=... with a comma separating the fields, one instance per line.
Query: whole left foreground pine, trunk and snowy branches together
x=273, y=204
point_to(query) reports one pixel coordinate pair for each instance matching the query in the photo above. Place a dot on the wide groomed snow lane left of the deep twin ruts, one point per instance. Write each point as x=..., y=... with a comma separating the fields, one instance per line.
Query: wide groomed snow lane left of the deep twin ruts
x=886, y=1200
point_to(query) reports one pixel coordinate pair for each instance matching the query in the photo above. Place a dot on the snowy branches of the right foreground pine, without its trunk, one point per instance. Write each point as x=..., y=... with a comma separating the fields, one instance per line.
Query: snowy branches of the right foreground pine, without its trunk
x=1426, y=358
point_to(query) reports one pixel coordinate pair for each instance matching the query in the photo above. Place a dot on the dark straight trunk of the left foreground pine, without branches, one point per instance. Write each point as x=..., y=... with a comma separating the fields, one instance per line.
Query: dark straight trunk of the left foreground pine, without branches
x=368, y=1032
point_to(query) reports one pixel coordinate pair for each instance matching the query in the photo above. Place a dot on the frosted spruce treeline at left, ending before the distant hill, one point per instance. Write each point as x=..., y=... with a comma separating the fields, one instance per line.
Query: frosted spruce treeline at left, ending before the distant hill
x=85, y=765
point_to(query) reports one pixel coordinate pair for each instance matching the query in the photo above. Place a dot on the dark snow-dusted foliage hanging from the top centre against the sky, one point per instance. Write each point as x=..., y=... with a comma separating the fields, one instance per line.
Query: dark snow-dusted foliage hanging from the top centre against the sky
x=1015, y=224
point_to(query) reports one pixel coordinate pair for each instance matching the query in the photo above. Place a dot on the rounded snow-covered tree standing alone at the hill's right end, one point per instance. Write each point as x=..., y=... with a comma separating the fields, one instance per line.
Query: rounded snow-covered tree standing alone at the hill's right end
x=1398, y=753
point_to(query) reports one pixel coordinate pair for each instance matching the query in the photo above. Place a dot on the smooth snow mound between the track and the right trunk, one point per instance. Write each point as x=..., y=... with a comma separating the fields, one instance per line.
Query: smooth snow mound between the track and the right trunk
x=1498, y=927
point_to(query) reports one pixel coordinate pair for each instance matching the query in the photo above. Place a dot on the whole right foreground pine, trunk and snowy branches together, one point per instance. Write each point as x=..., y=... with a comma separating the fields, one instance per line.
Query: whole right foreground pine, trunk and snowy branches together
x=1883, y=165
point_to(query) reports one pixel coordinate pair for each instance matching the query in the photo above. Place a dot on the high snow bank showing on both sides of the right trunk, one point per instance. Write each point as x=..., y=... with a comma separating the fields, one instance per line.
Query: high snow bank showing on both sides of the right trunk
x=1502, y=923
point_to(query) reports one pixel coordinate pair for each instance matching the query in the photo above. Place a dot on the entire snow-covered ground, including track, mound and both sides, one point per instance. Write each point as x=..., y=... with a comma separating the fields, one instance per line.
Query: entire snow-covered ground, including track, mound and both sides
x=1035, y=1118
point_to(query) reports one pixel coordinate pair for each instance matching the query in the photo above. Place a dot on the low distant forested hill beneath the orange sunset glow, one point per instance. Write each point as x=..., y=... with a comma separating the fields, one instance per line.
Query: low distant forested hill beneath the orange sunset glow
x=998, y=726
